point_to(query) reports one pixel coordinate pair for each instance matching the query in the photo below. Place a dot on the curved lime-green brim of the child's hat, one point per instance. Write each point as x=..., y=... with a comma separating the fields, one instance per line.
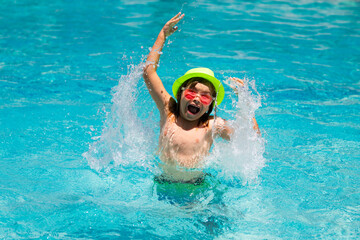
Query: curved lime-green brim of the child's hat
x=219, y=88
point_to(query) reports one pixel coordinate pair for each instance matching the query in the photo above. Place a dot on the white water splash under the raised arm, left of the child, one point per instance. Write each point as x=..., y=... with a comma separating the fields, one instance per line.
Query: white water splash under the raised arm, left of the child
x=125, y=139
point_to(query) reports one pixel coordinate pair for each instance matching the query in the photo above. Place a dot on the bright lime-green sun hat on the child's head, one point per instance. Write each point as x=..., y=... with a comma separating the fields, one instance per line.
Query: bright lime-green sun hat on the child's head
x=205, y=73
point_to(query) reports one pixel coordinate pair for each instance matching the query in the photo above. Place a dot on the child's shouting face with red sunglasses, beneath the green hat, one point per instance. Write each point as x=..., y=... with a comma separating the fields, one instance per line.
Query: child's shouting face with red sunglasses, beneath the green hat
x=193, y=109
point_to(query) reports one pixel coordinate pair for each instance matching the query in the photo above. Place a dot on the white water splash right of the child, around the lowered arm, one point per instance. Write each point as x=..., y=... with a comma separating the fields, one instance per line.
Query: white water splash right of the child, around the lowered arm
x=241, y=157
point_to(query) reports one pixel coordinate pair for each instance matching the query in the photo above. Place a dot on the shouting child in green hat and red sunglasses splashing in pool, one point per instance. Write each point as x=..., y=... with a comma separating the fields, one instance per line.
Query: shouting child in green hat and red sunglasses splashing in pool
x=187, y=129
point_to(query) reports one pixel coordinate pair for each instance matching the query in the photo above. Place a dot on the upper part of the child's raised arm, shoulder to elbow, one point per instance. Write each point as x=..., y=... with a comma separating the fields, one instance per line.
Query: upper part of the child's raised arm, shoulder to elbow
x=156, y=89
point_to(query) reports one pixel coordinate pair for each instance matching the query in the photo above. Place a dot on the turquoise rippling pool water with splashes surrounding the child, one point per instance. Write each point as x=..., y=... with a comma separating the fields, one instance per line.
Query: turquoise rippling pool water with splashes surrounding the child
x=79, y=132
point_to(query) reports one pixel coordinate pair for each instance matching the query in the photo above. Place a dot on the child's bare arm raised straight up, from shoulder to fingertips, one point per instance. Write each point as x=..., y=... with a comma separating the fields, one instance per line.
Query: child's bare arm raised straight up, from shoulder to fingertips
x=152, y=80
